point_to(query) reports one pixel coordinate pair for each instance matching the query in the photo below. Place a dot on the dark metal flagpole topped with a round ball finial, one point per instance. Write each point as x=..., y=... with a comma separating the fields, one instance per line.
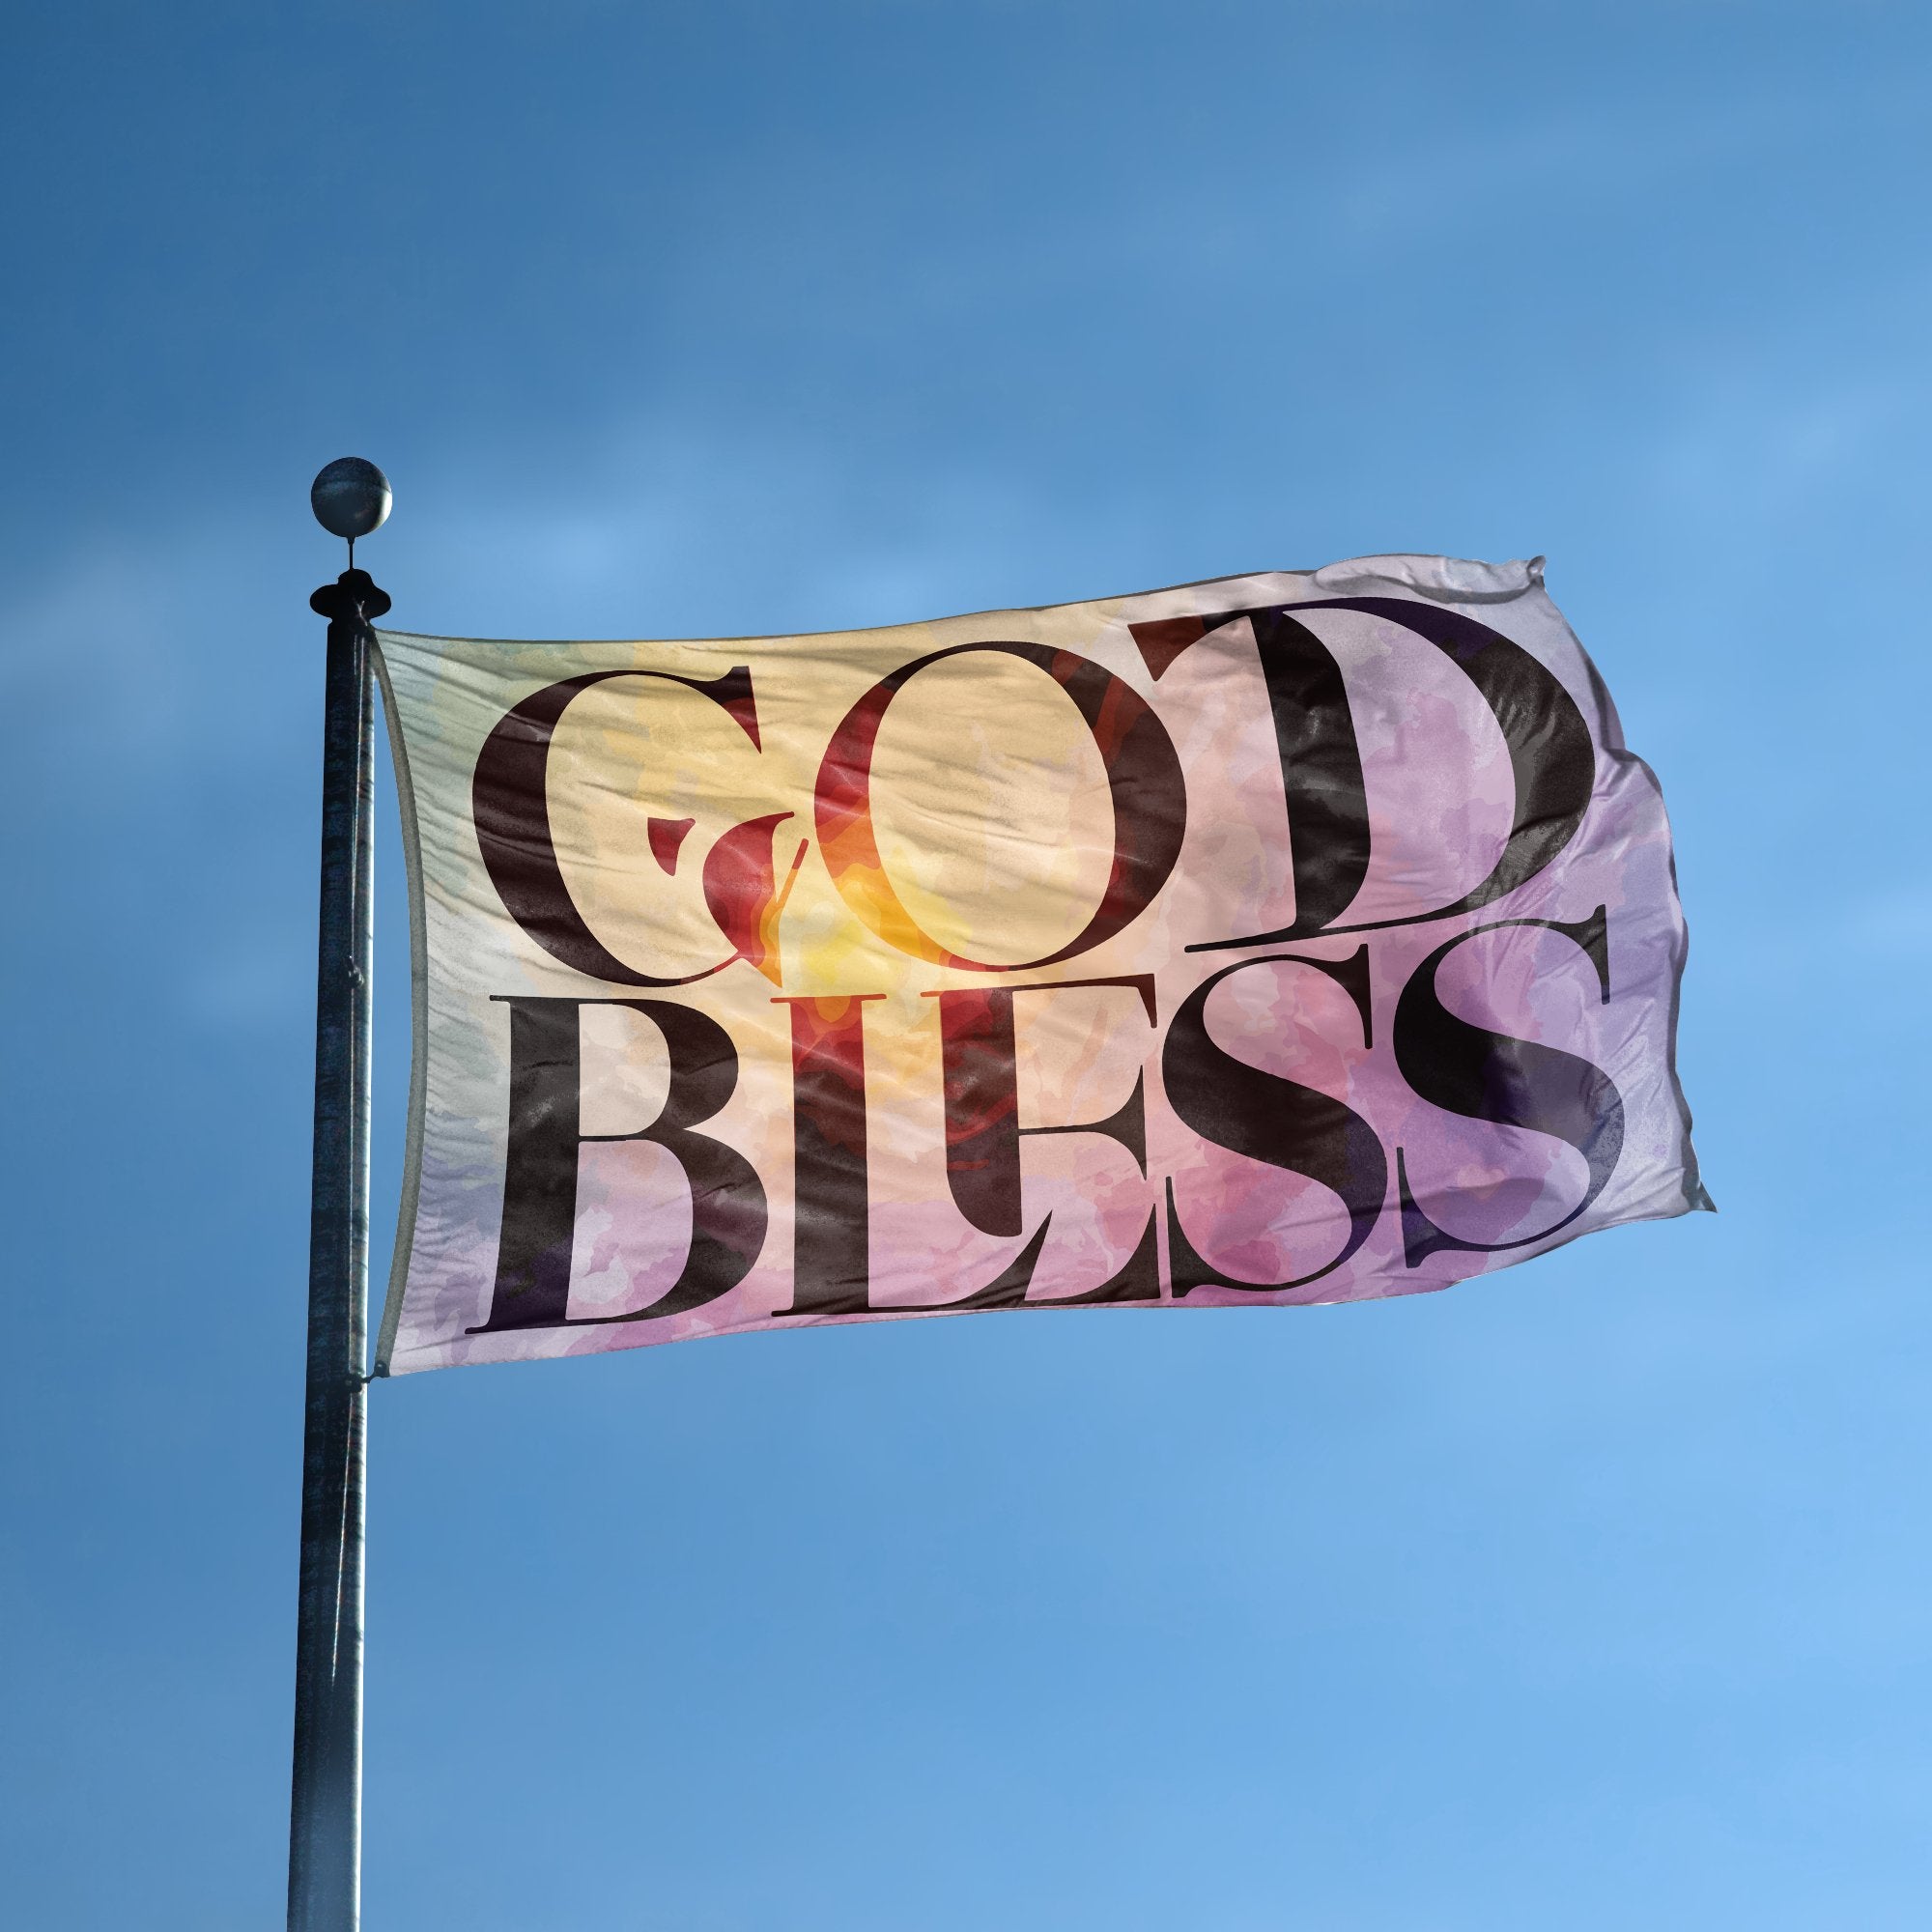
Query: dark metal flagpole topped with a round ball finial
x=351, y=499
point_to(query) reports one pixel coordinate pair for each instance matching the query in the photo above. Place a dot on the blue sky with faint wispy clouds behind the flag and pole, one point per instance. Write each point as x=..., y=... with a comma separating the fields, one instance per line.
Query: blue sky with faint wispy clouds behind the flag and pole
x=1589, y=1597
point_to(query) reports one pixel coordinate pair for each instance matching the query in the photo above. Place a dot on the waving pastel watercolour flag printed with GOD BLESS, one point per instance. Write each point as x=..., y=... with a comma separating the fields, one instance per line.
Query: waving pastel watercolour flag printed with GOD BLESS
x=1292, y=938
